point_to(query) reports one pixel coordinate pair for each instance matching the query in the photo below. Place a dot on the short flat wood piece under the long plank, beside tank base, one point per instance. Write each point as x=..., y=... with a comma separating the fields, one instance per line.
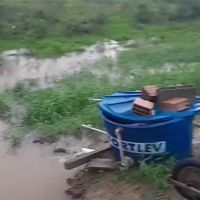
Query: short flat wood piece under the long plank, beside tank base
x=102, y=163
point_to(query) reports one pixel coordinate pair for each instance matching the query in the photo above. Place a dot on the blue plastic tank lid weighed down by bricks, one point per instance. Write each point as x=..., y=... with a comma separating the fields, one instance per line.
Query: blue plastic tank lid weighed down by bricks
x=119, y=106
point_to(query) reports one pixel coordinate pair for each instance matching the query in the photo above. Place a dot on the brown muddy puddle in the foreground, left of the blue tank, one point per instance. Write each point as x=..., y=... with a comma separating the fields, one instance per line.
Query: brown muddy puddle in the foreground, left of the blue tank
x=34, y=171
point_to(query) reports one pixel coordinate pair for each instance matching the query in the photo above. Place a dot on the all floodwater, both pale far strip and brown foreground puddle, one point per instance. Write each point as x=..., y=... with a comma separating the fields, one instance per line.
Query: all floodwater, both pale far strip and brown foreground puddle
x=33, y=171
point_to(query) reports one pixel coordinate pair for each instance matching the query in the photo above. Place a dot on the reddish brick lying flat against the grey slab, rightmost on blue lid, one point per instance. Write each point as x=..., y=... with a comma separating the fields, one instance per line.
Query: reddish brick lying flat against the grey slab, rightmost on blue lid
x=175, y=104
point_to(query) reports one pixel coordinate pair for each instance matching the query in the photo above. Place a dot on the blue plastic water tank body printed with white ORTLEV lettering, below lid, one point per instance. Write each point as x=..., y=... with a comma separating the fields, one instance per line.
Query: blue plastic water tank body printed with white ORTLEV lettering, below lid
x=172, y=138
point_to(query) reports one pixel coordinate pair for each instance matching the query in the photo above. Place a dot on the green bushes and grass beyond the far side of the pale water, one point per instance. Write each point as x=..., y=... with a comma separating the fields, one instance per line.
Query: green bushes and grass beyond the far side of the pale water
x=56, y=27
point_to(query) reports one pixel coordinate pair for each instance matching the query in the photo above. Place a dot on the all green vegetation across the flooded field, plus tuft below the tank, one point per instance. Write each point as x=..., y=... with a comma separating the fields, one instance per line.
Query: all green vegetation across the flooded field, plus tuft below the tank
x=166, y=49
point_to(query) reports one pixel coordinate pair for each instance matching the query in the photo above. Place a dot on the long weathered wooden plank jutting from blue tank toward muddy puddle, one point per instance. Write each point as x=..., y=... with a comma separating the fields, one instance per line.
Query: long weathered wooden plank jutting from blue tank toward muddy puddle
x=82, y=159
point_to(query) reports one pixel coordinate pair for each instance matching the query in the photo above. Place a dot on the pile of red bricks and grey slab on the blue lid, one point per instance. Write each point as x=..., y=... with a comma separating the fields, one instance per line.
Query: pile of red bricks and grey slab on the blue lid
x=175, y=98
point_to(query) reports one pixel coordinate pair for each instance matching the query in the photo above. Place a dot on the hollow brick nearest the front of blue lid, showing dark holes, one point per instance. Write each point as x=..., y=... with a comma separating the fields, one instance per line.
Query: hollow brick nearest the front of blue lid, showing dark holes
x=143, y=107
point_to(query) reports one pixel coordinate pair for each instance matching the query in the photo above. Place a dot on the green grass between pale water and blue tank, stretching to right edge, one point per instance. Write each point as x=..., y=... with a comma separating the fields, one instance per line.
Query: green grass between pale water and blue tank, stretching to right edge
x=62, y=109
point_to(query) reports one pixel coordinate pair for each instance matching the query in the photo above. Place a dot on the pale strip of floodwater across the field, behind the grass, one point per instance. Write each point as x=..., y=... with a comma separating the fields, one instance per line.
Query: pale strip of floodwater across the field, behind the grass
x=19, y=68
